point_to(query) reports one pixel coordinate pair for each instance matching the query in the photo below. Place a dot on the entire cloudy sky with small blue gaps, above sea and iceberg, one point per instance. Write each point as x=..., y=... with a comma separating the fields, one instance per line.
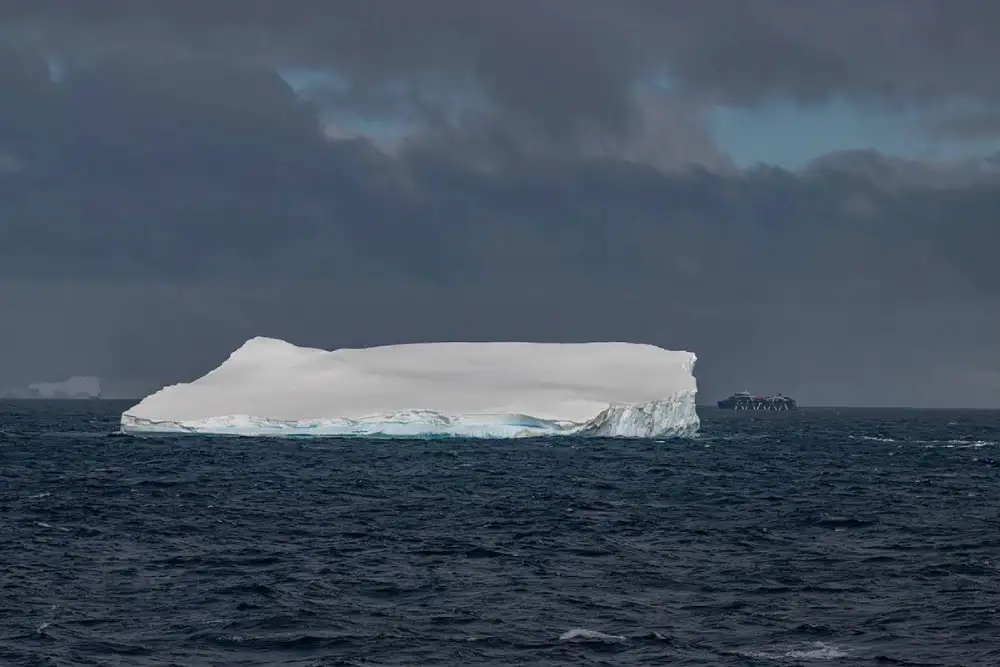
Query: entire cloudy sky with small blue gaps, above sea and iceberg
x=802, y=192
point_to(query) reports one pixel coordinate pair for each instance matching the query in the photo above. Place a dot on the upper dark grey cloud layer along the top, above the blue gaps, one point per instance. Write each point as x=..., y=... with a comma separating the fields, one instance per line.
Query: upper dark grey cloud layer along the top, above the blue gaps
x=562, y=66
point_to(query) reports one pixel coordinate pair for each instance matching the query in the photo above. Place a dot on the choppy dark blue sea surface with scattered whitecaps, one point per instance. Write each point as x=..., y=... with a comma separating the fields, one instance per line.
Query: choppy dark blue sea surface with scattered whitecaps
x=824, y=537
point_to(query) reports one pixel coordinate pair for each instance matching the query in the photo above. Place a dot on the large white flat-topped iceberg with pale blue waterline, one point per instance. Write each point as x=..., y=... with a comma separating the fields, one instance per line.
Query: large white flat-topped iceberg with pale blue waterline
x=485, y=390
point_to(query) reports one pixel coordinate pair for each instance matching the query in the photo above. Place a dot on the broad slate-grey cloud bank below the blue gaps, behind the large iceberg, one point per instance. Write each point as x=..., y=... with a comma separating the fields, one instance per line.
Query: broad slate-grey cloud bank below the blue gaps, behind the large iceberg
x=161, y=212
